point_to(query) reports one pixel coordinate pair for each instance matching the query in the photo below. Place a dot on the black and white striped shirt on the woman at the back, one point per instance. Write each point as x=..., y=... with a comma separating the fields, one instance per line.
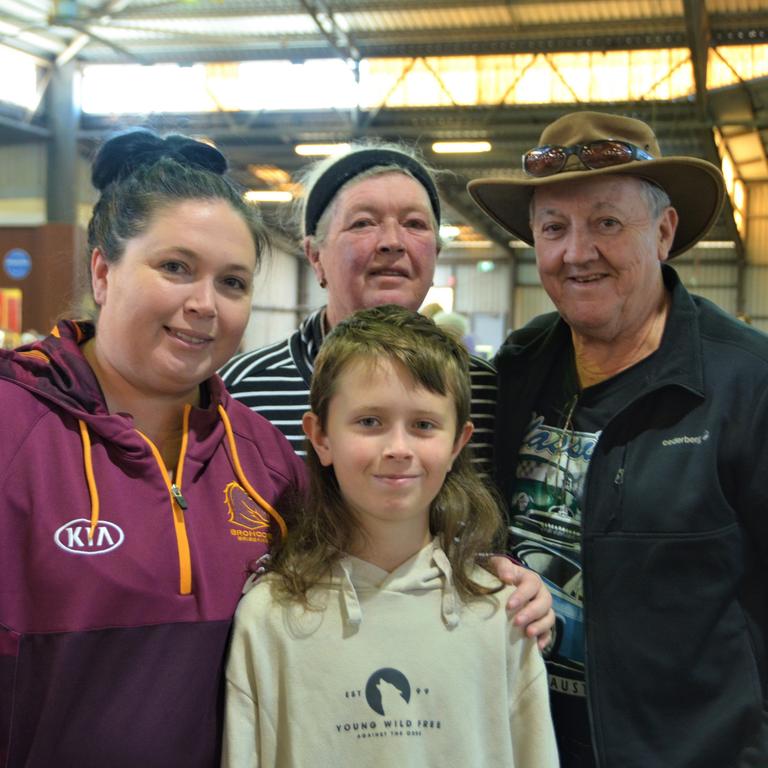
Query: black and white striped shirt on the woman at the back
x=274, y=381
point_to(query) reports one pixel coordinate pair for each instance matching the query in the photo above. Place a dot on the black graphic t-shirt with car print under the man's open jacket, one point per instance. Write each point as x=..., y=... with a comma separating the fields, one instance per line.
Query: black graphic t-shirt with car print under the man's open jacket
x=546, y=509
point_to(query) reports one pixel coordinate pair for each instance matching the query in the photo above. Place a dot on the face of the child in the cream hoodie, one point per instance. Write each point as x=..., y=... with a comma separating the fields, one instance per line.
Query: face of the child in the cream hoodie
x=391, y=444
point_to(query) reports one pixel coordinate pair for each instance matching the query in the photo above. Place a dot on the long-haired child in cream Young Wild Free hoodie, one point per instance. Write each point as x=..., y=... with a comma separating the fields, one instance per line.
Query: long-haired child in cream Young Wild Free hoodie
x=376, y=639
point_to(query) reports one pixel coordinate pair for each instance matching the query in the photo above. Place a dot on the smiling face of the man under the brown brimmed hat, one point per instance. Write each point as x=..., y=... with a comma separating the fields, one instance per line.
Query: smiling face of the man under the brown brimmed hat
x=598, y=250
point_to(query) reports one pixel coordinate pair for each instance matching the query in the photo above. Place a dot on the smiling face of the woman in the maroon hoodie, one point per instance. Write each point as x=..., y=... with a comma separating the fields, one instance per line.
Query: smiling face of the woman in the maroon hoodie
x=174, y=307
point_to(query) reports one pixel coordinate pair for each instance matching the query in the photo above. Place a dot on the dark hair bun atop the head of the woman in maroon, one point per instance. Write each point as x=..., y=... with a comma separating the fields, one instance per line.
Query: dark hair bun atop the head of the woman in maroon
x=121, y=155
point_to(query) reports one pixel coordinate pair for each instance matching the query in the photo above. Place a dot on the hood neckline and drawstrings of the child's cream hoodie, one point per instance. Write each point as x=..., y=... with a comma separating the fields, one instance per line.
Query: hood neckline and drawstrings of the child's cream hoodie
x=429, y=569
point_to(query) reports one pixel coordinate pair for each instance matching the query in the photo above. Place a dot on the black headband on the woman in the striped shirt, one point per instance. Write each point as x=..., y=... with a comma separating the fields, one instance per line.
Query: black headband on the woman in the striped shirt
x=353, y=164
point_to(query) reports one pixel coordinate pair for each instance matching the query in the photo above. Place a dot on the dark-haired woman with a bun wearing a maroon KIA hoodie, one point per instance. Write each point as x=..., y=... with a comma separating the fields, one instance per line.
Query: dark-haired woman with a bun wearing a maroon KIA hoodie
x=134, y=492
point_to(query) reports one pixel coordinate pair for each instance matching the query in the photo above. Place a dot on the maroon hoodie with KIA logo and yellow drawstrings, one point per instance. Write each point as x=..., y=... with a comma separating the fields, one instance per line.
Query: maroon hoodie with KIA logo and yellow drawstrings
x=117, y=587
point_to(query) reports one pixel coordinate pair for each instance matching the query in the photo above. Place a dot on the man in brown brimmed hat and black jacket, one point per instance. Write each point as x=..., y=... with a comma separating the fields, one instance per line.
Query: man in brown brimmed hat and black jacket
x=631, y=448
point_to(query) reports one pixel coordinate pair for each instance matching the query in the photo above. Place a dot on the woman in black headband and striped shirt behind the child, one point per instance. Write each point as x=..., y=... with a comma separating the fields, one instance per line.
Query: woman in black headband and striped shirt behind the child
x=369, y=220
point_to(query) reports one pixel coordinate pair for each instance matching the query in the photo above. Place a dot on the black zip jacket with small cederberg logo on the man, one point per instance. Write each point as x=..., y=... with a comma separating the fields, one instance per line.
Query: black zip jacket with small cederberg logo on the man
x=674, y=540
